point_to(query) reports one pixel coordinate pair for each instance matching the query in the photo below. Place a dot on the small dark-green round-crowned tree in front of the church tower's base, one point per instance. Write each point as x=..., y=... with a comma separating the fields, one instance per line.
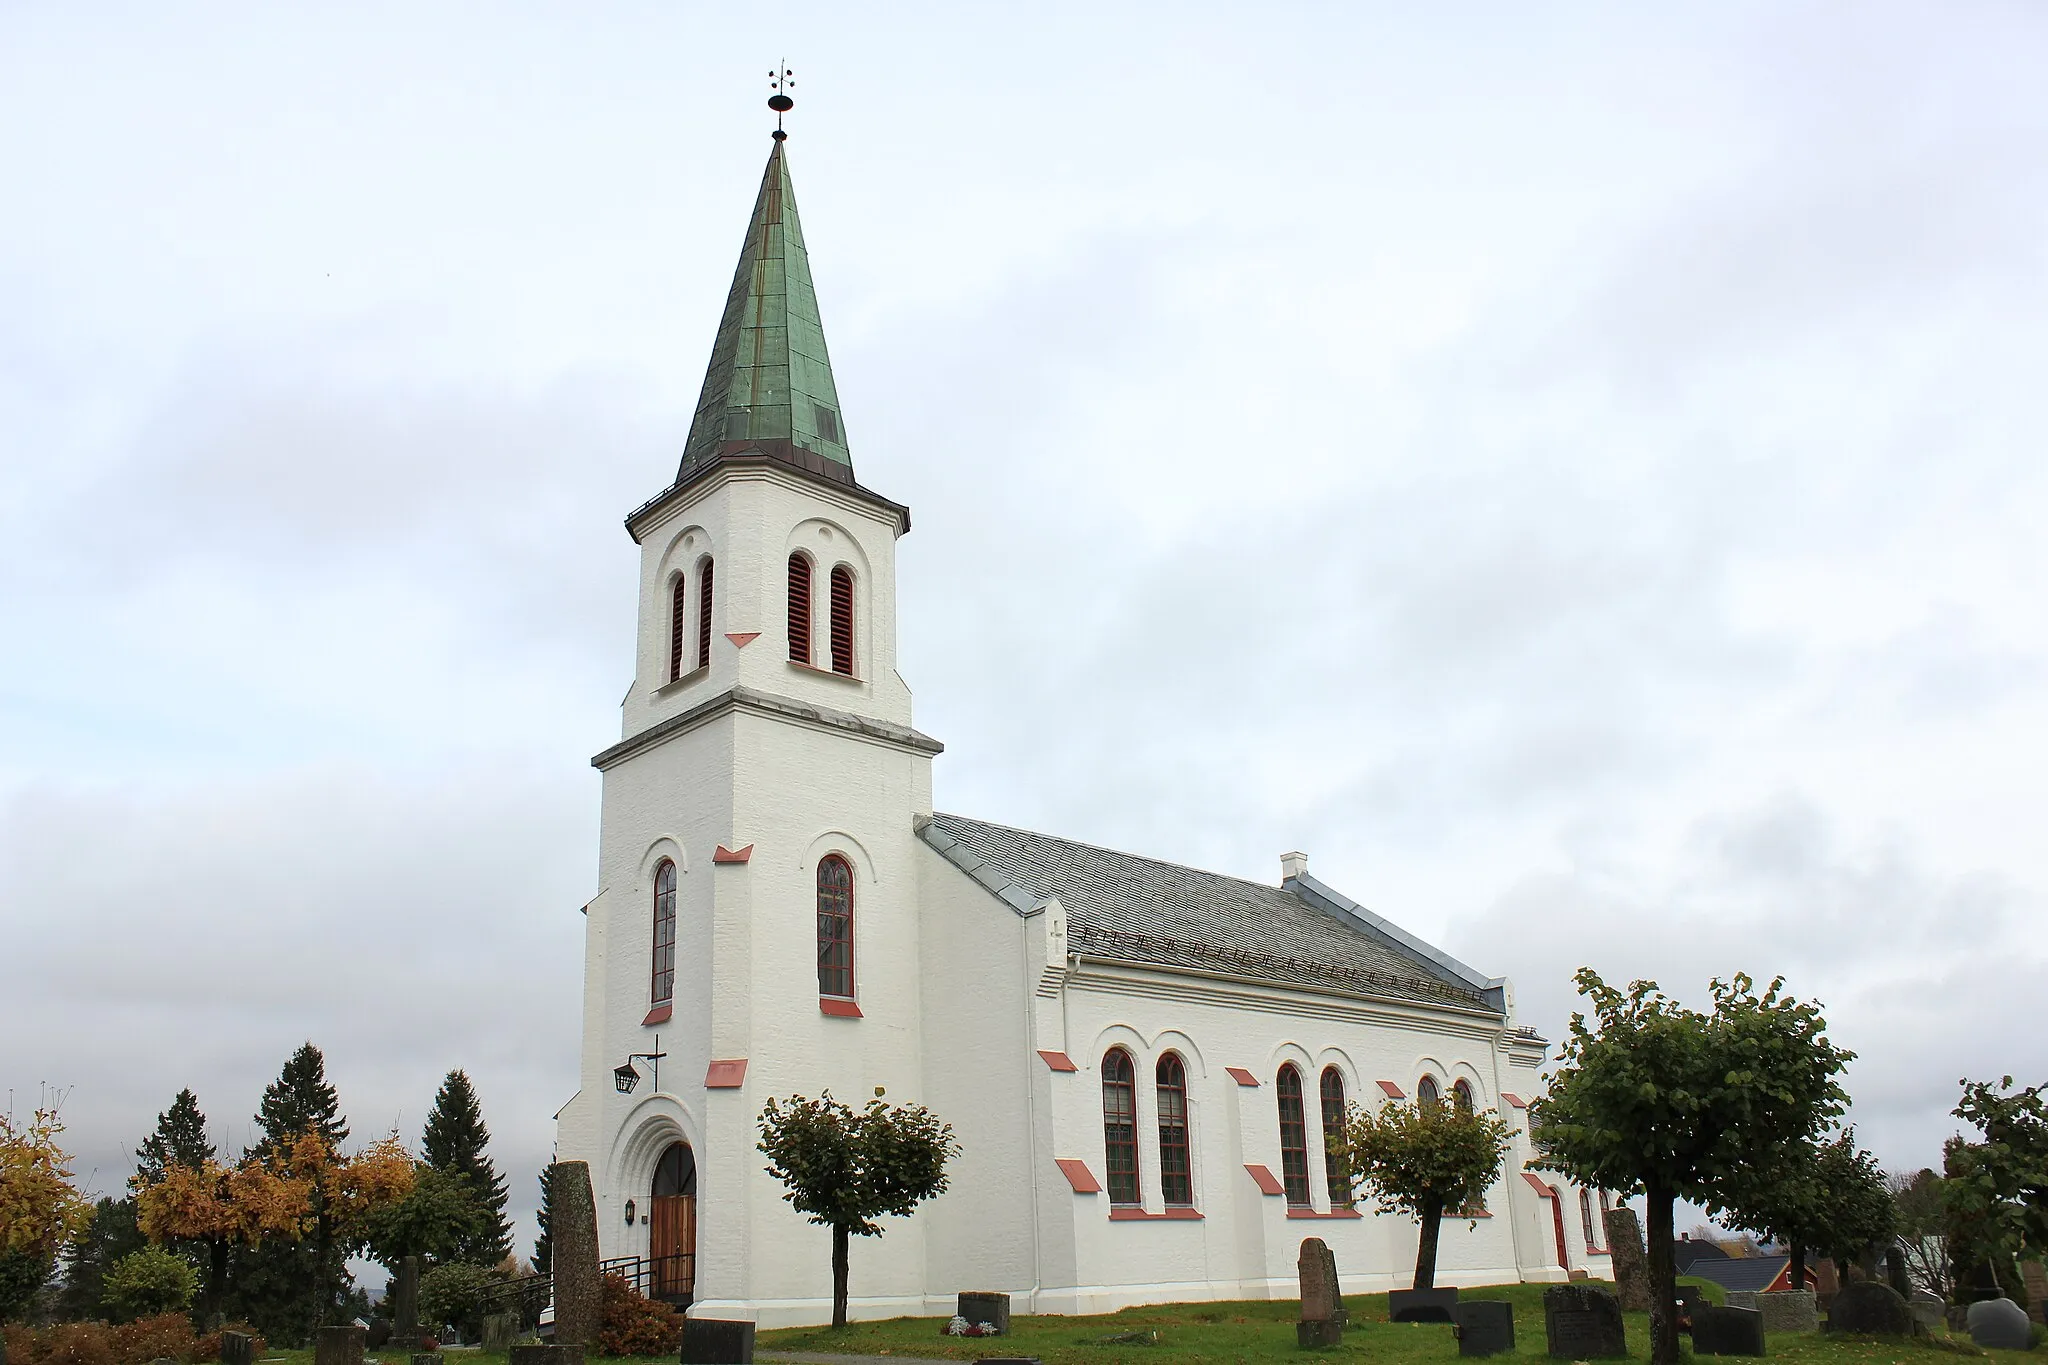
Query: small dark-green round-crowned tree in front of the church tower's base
x=849, y=1168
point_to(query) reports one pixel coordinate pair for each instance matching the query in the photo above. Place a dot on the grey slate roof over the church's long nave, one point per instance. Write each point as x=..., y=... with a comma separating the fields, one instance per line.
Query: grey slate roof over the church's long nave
x=1140, y=910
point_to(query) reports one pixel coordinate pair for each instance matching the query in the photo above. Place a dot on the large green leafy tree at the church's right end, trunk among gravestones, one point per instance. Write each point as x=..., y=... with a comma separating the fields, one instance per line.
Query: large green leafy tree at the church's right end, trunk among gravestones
x=1678, y=1104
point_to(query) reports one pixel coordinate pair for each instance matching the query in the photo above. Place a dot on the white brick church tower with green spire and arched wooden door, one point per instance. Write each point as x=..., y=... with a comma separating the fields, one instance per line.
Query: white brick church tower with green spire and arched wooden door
x=759, y=914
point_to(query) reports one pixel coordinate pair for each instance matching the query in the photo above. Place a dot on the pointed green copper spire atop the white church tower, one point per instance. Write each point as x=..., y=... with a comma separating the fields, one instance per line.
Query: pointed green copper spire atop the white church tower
x=769, y=388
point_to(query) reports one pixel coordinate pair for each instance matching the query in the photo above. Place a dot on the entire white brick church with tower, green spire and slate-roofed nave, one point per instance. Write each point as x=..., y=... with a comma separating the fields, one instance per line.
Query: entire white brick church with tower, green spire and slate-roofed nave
x=1140, y=1059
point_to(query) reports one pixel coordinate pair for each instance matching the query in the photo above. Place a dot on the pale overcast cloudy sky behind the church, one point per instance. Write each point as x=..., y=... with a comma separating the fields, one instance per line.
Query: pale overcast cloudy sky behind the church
x=1574, y=472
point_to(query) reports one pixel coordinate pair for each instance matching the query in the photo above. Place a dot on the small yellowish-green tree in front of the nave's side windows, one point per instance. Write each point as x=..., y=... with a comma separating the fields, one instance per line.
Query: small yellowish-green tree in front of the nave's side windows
x=1422, y=1161
